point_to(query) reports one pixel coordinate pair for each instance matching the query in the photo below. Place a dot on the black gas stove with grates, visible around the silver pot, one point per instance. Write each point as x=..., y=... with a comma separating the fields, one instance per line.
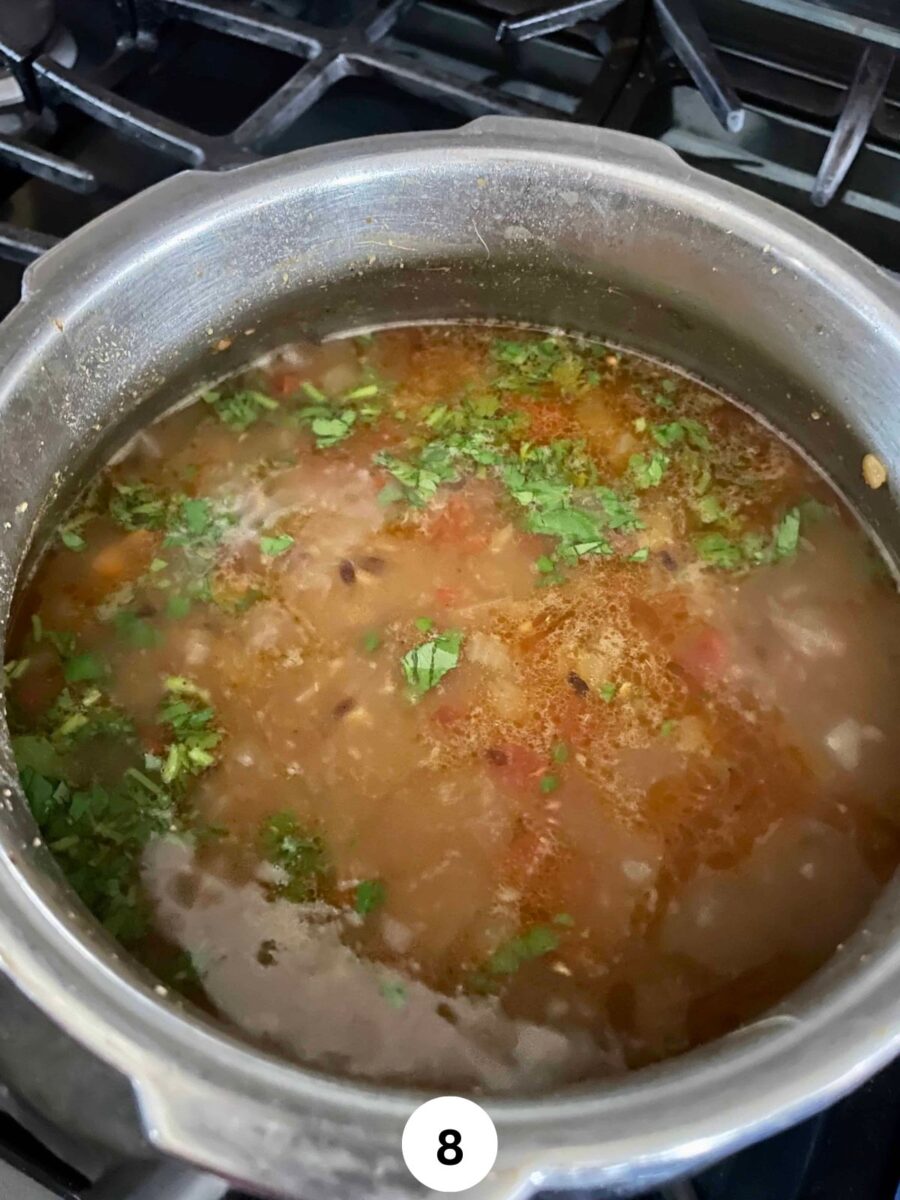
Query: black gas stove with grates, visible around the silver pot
x=799, y=100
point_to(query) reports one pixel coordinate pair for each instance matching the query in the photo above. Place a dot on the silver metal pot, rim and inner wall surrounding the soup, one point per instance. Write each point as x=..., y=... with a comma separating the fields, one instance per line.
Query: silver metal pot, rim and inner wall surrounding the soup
x=529, y=221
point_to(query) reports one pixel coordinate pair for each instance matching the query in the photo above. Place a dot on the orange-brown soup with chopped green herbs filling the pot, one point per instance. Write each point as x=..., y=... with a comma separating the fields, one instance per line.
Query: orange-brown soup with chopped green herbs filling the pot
x=465, y=707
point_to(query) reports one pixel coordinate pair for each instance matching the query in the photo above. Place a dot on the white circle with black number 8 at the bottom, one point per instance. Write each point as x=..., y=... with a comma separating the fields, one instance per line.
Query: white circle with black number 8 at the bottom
x=449, y=1144
